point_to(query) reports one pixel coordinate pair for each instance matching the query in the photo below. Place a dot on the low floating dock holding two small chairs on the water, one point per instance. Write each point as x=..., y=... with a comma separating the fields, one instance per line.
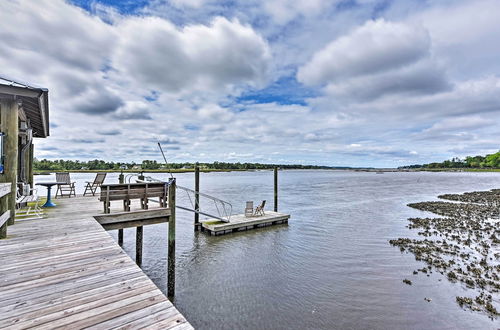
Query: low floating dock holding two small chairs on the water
x=240, y=222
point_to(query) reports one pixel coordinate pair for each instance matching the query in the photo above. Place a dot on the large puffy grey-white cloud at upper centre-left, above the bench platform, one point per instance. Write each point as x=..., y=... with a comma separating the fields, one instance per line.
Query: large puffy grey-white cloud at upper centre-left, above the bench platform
x=197, y=57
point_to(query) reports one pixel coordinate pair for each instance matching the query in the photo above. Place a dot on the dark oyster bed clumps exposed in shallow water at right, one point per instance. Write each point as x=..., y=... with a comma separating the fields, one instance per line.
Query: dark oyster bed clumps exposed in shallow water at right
x=463, y=245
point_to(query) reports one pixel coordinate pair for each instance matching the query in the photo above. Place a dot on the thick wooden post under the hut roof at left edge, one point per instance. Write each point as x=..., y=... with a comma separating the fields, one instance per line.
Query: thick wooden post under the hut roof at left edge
x=9, y=126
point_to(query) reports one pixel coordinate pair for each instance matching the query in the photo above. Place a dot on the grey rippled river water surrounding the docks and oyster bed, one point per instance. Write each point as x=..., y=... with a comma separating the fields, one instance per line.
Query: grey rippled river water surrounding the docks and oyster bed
x=331, y=267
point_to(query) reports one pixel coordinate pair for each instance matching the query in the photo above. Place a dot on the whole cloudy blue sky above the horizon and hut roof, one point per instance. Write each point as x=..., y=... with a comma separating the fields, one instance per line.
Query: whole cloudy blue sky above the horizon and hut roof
x=327, y=82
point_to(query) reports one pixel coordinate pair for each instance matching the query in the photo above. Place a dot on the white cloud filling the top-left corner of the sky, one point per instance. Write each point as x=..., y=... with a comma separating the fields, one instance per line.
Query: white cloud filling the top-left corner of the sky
x=48, y=29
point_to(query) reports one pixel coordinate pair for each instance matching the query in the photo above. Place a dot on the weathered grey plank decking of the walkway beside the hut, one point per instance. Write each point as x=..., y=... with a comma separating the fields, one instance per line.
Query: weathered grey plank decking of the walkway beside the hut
x=66, y=271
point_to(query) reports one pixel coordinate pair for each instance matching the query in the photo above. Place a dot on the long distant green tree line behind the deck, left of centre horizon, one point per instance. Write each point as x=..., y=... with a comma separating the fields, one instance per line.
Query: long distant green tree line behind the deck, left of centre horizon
x=72, y=165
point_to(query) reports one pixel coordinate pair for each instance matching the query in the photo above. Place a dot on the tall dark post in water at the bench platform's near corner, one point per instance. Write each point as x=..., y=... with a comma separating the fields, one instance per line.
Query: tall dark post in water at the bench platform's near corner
x=171, y=240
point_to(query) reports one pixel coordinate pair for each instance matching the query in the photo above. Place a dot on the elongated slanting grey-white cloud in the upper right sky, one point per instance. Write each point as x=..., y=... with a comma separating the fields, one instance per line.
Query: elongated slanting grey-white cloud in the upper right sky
x=374, y=47
